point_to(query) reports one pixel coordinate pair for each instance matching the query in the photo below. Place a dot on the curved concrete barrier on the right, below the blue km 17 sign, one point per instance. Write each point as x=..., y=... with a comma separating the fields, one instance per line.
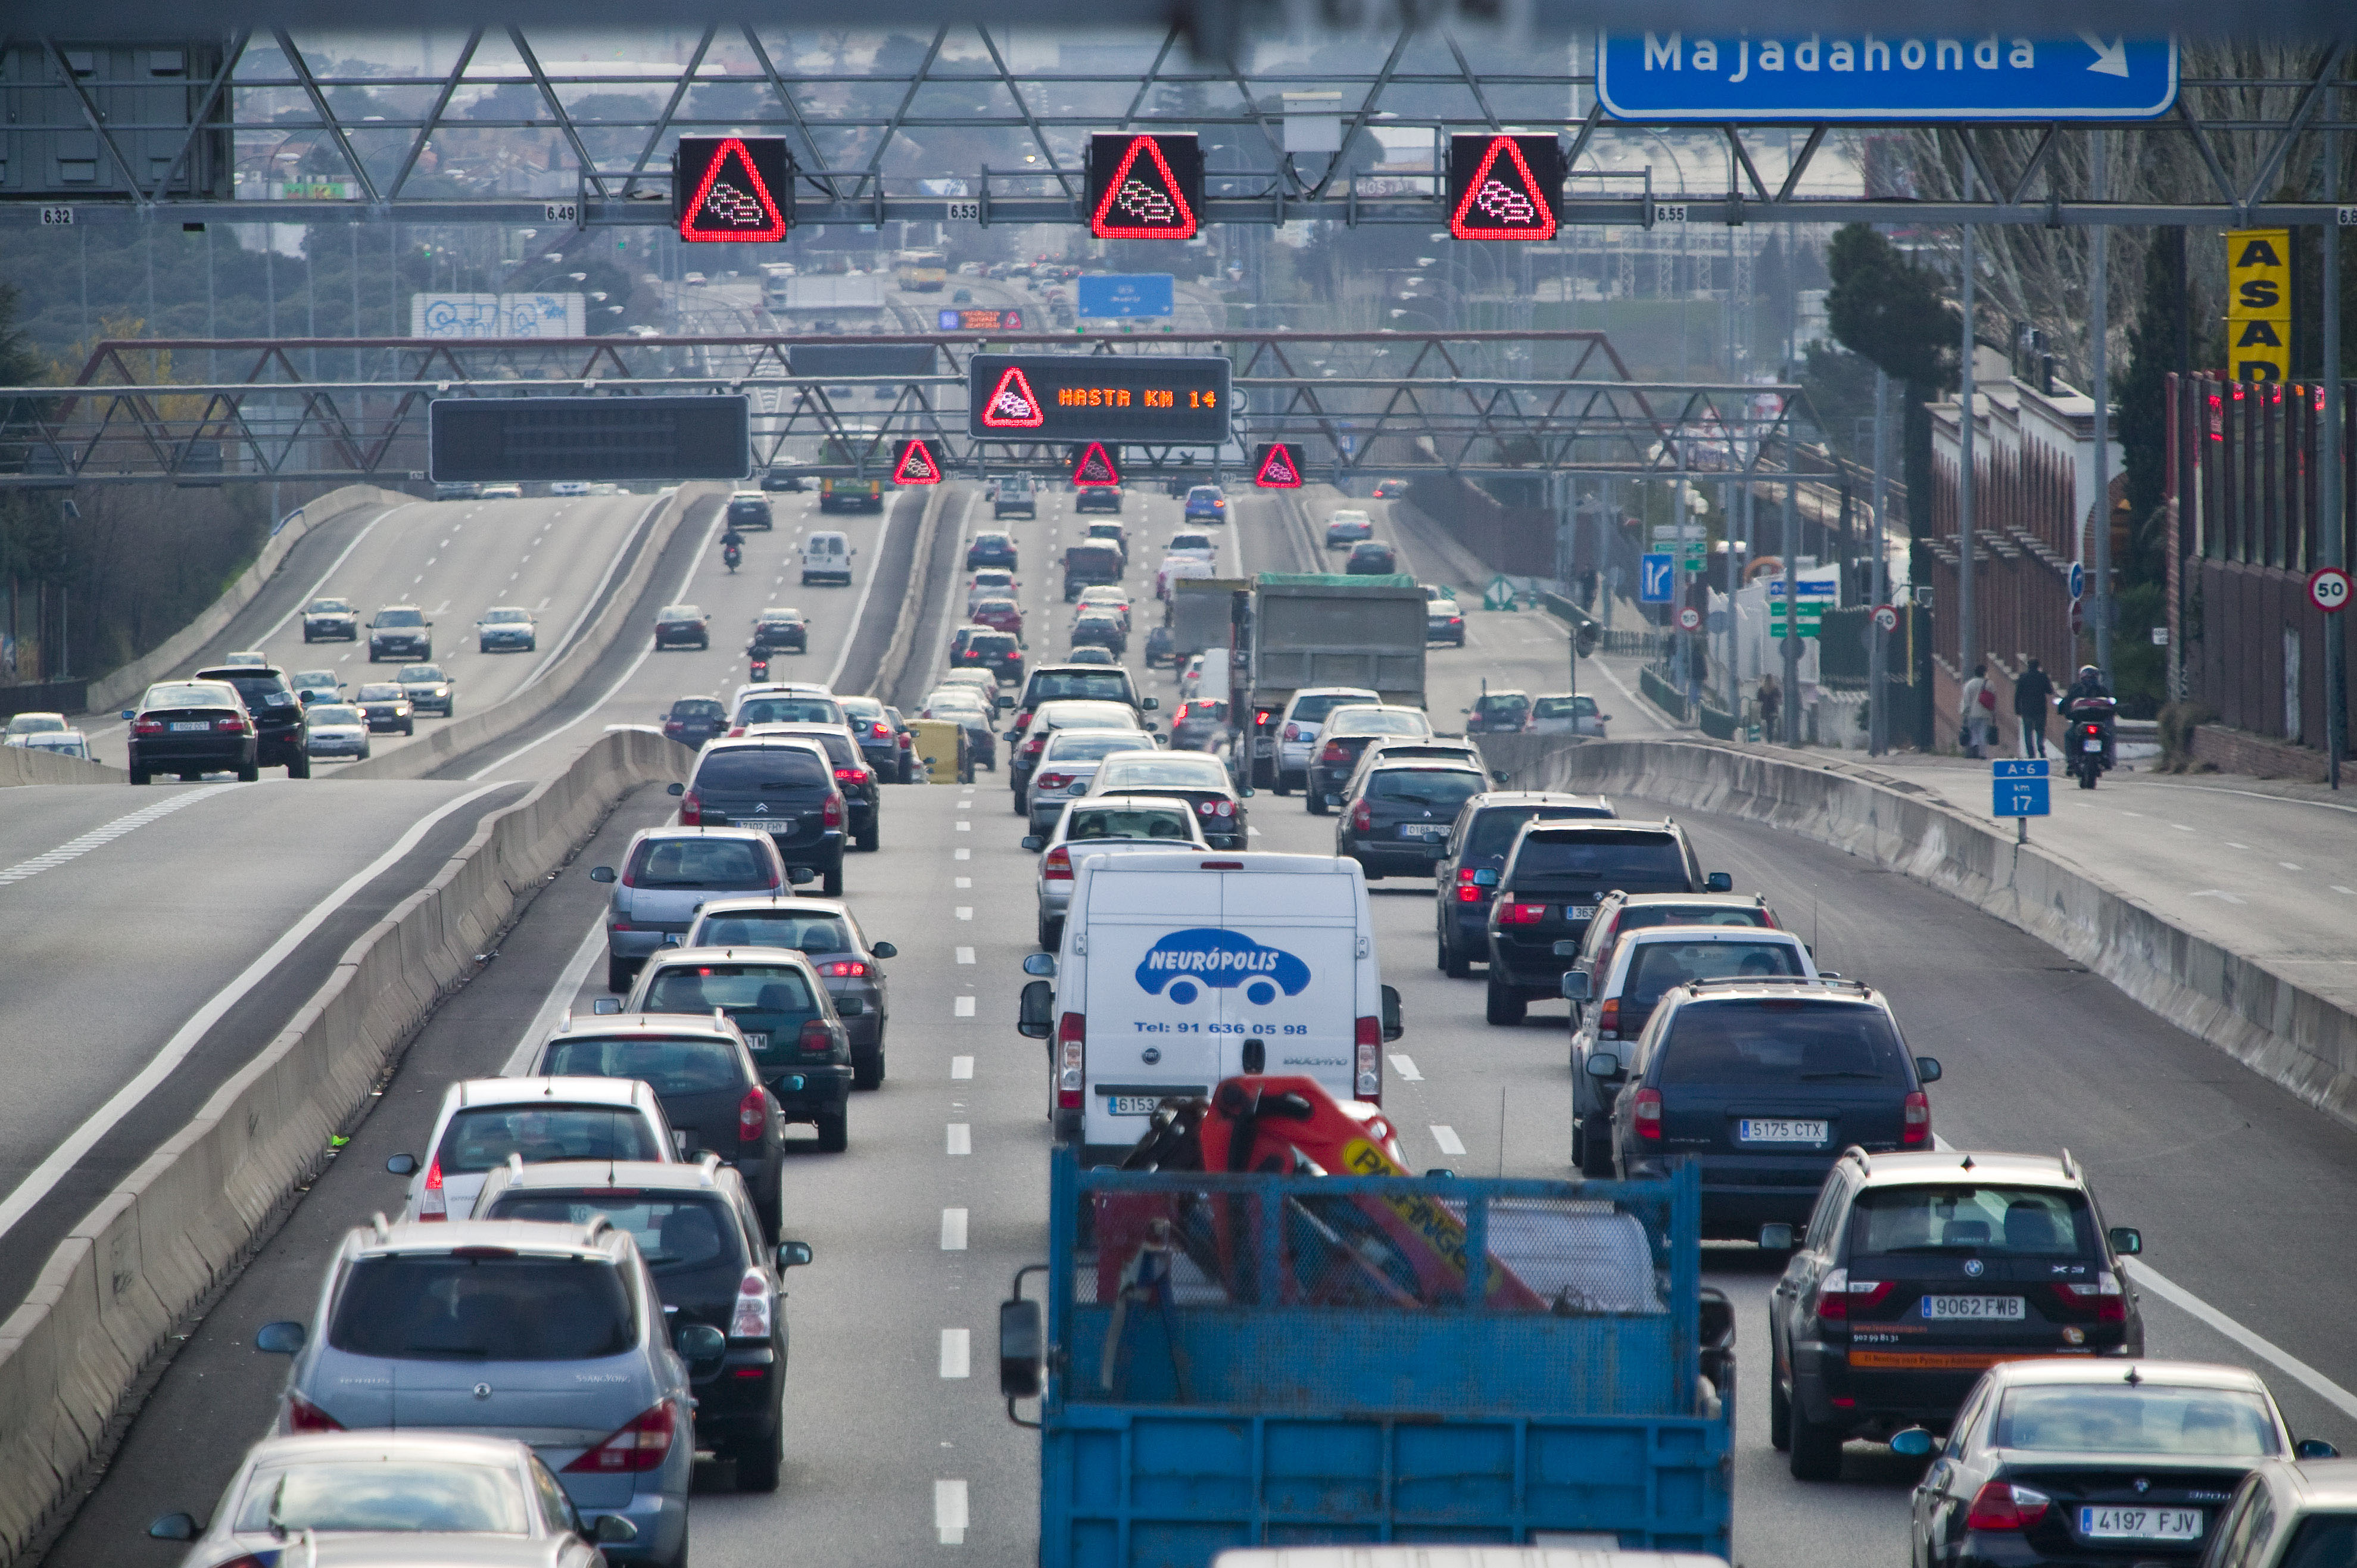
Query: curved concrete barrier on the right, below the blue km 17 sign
x=2264, y=1020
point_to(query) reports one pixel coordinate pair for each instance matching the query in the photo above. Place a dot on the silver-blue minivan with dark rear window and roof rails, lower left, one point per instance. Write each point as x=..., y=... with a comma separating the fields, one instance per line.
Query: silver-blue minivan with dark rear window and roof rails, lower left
x=546, y=1333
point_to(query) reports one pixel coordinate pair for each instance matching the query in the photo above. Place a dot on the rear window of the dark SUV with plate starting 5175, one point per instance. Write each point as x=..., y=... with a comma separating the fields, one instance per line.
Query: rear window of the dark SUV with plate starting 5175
x=1750, y=1043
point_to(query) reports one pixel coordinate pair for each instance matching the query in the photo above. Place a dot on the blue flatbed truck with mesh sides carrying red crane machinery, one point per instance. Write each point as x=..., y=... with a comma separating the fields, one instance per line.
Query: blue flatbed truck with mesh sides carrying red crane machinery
x=1257, y=1359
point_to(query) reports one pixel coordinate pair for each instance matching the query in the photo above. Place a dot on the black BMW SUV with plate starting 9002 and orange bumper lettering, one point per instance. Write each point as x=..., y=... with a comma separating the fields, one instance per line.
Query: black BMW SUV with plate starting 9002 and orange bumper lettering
x=1917, y=1274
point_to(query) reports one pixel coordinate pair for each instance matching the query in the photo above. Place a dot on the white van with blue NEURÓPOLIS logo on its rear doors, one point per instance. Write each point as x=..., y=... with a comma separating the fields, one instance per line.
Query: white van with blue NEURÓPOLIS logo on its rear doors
x=1180, y=970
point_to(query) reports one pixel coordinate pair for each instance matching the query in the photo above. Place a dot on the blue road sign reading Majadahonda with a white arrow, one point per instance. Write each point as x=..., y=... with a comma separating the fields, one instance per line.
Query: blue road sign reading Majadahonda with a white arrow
x=1875, y=77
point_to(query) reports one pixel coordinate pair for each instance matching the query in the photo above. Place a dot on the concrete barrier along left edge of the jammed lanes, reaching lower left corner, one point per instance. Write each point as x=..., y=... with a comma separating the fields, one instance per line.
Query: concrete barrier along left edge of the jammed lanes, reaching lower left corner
x=187, y=1218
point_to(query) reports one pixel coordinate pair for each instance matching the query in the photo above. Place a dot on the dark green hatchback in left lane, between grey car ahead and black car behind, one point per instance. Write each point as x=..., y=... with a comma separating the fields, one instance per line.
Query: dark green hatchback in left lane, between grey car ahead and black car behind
x=791, y=1025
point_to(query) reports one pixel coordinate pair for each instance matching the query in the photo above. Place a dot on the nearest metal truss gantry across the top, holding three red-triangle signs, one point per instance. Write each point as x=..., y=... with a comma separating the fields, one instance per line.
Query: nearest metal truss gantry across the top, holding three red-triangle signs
x=506, y=126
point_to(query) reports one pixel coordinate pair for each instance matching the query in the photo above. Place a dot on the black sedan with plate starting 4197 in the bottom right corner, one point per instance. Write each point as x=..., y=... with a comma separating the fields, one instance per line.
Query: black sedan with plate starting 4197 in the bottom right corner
x=2071, y=1461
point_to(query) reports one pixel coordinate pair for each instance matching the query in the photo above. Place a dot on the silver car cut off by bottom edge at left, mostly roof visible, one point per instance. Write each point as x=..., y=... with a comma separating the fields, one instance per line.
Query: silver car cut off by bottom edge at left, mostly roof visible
x=416, y=1496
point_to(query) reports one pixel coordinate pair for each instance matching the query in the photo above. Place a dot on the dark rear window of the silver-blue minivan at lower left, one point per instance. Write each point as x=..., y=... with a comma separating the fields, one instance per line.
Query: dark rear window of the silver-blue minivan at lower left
x=501, y=1307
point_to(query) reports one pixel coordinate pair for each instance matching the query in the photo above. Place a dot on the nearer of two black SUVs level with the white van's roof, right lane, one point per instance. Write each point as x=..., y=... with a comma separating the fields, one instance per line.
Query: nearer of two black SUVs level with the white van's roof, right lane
x=1550, y=888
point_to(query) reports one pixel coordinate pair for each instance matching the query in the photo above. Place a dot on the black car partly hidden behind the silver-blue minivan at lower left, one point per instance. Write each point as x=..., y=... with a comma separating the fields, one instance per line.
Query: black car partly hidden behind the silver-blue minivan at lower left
x=713, y=1260
